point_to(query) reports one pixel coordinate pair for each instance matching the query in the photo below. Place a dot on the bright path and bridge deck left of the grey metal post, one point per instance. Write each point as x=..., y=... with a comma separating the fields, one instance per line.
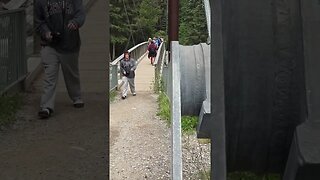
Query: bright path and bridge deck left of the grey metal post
x=139, y=140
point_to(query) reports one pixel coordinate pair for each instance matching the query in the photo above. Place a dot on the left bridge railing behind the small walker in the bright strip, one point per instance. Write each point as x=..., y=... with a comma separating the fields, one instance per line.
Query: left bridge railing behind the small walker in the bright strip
x=137, y=52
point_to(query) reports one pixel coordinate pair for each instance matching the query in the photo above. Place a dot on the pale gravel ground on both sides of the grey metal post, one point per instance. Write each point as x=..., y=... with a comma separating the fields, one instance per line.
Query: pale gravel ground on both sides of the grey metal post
x=140, y=143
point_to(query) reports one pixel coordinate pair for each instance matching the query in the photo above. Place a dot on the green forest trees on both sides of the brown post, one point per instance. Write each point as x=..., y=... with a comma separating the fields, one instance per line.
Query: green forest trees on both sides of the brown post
x=134, y=21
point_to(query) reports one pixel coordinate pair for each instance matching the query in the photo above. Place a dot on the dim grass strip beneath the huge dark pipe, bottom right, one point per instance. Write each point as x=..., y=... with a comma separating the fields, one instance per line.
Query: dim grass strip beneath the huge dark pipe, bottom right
x=252, y=176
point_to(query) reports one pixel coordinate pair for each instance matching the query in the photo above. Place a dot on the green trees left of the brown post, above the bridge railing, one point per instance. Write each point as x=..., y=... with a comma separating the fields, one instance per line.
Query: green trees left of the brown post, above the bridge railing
x=133, y=21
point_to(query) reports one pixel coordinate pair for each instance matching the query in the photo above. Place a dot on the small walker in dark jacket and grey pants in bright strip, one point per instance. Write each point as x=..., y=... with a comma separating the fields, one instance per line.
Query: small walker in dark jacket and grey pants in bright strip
x=128, y=66
